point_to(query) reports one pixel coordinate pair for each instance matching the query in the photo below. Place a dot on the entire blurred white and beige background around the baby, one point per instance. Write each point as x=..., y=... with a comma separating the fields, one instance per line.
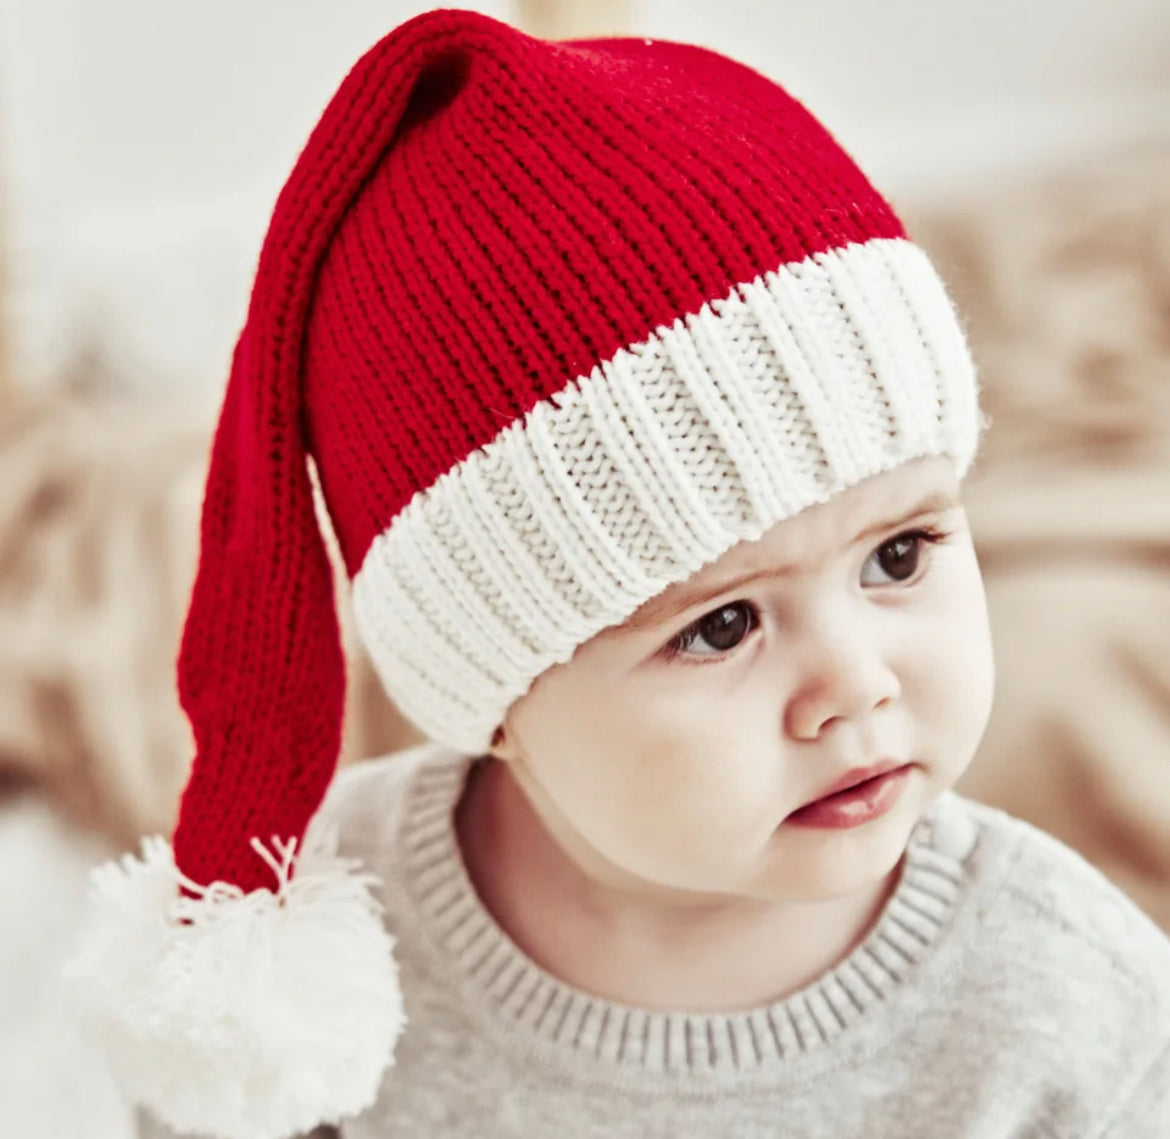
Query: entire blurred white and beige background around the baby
x=1027, y=143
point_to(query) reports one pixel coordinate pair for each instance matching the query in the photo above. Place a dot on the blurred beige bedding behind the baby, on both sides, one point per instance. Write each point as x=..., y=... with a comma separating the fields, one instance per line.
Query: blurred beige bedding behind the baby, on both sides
x=1066, y=292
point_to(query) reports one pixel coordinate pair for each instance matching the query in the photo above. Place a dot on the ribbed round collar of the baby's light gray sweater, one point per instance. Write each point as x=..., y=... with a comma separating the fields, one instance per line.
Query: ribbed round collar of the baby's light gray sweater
x=528, y=1002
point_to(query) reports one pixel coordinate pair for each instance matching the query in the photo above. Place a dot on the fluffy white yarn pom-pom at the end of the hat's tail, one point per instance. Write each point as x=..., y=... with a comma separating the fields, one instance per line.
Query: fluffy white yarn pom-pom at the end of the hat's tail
x=242, y=1016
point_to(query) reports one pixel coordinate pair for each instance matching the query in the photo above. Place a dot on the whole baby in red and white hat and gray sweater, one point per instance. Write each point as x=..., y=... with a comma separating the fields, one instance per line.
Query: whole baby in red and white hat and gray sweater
x=642, y=425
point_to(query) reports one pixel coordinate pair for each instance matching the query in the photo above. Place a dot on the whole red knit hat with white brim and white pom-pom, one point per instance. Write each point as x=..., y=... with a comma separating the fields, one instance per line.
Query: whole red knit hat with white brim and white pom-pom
x=560, y=325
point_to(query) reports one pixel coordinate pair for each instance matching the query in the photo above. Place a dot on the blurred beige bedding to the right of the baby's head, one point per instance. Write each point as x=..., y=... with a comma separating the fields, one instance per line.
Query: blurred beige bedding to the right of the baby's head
x=1065, y=287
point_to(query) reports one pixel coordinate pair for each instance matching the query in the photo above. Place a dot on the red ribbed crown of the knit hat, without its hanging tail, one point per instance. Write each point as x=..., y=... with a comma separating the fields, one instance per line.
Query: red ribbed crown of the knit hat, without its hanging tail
x=549, y=212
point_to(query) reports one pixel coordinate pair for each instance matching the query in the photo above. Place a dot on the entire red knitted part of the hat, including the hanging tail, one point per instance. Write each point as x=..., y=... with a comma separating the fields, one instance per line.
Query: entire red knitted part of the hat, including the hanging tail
x=478, y=219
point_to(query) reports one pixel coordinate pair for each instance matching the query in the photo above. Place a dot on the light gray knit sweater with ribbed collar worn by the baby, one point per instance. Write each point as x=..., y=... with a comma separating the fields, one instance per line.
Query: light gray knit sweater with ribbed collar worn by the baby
x=1008, y=991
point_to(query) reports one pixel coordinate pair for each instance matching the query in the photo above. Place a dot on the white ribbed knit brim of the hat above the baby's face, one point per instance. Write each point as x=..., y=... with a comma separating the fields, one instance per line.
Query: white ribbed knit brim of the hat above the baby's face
x=781, y=396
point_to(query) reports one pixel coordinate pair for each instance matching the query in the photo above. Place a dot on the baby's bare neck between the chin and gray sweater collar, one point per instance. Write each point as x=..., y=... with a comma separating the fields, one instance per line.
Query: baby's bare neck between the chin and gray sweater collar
x=731, y=955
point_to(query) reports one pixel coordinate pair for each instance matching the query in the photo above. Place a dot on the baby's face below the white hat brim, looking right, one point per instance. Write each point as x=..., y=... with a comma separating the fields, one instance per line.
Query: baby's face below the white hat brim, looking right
x=667, y=755
